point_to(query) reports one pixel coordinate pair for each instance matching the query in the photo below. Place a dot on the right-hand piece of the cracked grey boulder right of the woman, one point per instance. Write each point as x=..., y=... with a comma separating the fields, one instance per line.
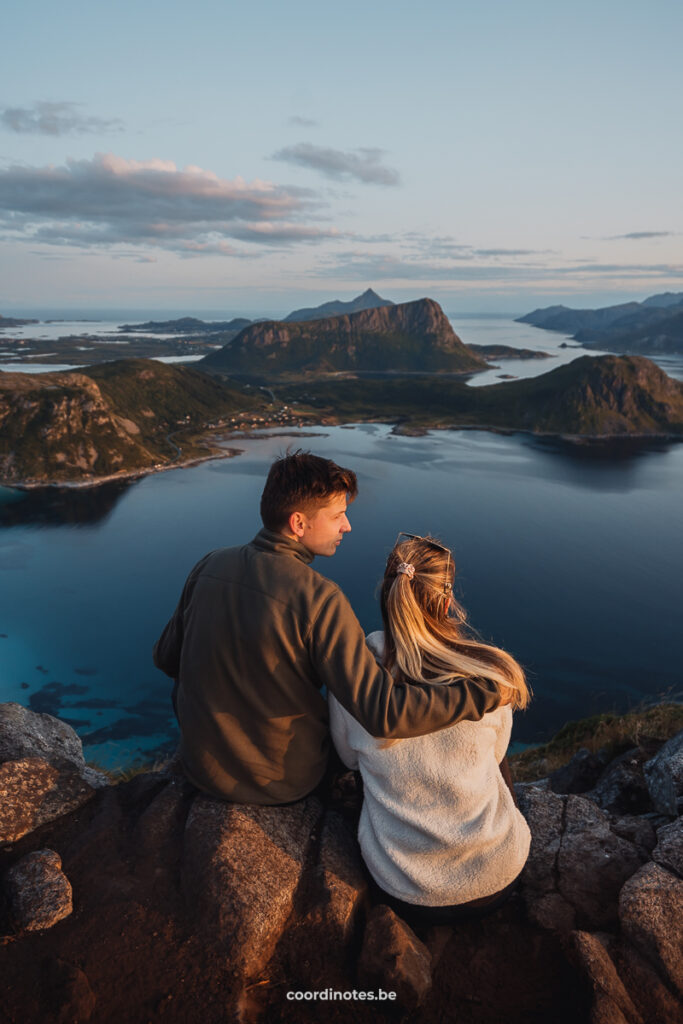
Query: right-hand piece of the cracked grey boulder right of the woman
x=593, y=864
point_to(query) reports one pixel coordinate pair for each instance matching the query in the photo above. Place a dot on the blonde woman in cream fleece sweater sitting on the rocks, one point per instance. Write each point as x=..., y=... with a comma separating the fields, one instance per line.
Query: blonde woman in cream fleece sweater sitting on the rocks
x=440, y=829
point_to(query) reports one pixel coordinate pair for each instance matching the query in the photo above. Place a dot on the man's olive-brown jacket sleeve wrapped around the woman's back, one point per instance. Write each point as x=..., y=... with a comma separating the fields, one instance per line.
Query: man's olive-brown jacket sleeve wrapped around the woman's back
x=382, y=706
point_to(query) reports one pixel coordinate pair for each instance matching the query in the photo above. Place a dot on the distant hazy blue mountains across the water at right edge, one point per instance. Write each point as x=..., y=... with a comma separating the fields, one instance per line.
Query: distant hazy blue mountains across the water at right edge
x=646, y=328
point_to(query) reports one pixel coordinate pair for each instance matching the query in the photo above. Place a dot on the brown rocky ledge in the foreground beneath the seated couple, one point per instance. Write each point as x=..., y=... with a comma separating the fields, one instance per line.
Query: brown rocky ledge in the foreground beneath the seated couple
x=185, y=902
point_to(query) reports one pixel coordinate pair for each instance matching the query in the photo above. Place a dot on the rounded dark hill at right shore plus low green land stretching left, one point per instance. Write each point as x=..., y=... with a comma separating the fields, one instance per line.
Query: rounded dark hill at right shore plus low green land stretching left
x=593, y=397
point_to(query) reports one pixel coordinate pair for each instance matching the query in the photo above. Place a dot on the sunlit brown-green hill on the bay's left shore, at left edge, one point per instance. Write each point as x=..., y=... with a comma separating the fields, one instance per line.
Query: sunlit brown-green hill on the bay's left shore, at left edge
x=113, y=419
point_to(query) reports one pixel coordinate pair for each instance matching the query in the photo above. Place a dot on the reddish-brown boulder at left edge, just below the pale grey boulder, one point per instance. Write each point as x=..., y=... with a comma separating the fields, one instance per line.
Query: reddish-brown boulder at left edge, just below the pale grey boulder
x=33, y=792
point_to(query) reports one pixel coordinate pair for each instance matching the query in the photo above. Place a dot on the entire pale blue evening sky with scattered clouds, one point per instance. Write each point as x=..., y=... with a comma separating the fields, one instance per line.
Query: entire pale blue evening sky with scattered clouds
x=248, y=160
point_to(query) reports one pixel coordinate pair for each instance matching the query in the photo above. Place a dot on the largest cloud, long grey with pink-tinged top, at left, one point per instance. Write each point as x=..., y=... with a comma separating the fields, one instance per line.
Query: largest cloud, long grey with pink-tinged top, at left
x=111, y=201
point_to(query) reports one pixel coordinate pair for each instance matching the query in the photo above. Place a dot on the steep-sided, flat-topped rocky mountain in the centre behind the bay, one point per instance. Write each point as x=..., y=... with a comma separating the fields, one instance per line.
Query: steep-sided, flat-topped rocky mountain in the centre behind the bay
x=412, y=336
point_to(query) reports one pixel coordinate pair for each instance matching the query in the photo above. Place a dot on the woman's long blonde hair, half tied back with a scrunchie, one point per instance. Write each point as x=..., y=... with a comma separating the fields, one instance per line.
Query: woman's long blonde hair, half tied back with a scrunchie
x=426, y=636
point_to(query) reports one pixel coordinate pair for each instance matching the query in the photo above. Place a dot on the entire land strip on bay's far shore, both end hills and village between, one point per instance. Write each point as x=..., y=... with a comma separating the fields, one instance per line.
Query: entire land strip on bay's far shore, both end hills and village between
x=134, y=417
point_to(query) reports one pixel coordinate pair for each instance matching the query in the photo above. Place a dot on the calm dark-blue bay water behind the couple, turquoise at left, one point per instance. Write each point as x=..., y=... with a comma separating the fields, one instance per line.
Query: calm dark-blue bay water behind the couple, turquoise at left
x=573, y=562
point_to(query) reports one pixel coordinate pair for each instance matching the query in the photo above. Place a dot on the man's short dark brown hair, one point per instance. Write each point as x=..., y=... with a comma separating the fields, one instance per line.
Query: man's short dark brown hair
x=302, y=482
